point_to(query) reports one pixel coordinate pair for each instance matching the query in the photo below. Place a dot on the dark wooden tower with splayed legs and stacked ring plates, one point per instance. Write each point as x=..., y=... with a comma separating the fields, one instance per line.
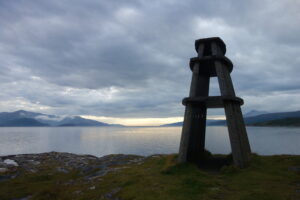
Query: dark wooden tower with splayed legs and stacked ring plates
x=211, y=62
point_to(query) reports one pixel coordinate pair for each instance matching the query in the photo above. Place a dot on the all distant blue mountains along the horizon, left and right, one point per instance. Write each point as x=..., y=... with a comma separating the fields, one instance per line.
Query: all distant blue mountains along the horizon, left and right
x=31, y=119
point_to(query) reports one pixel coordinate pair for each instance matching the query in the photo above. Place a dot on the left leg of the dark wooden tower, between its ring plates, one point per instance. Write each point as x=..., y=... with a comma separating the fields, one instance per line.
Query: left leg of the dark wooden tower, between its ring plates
x=193, y=132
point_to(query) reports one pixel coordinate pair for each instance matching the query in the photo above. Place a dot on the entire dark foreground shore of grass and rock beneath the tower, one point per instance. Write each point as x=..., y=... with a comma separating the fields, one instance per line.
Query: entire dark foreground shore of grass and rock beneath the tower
x=126, y=177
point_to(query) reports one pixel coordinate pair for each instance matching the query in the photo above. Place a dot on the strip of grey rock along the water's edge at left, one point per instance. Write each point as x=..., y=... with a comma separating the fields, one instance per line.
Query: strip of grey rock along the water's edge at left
x=66, y=161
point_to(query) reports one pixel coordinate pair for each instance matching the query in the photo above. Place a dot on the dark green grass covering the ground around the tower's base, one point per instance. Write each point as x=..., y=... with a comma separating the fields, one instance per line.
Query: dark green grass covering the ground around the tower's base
x=159, y=178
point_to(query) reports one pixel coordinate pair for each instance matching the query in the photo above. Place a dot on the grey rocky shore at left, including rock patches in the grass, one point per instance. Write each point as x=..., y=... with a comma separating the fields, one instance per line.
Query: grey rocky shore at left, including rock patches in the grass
x=90, y=168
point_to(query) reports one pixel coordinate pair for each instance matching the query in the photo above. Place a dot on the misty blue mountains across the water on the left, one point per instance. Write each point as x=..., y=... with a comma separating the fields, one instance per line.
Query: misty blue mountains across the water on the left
x=25, y=118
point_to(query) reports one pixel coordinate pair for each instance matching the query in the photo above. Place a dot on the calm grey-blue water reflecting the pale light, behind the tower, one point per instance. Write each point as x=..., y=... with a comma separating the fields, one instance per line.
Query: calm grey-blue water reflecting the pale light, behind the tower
x=101, y=141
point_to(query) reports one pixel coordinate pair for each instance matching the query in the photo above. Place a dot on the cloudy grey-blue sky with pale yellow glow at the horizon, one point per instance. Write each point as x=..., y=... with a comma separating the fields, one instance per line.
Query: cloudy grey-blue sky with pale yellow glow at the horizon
x=127, y=61
